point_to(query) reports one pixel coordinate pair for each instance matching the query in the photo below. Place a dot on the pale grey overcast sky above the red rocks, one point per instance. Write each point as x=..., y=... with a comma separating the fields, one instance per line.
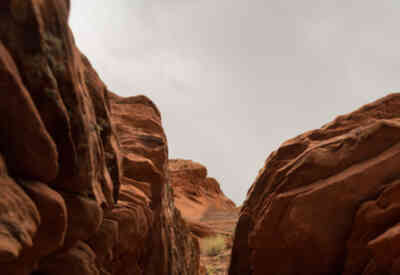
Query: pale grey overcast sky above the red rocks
x=234, y=79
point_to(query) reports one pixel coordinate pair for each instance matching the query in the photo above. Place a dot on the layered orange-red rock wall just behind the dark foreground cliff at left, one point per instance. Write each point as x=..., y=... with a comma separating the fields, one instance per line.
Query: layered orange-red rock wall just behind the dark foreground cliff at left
x=161, y=242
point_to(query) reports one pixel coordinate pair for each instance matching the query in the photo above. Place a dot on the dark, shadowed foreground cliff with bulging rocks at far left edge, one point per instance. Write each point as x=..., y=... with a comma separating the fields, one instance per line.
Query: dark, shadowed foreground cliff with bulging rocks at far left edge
x=56, y=180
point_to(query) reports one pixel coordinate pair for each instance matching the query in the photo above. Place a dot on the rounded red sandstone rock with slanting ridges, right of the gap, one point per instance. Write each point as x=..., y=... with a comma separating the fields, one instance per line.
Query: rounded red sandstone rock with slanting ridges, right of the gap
x=327, y=201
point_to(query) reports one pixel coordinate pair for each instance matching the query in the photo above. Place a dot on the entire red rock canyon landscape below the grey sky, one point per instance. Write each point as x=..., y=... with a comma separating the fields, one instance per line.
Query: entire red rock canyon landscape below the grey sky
x=87, y=186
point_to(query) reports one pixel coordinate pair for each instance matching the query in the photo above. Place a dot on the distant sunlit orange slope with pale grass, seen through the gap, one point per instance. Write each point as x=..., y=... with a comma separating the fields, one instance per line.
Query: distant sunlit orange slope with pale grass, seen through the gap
x=211, y=216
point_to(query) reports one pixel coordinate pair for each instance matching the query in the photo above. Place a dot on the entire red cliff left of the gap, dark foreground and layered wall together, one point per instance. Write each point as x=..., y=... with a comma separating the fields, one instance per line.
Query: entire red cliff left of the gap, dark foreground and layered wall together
x=72, y=201
